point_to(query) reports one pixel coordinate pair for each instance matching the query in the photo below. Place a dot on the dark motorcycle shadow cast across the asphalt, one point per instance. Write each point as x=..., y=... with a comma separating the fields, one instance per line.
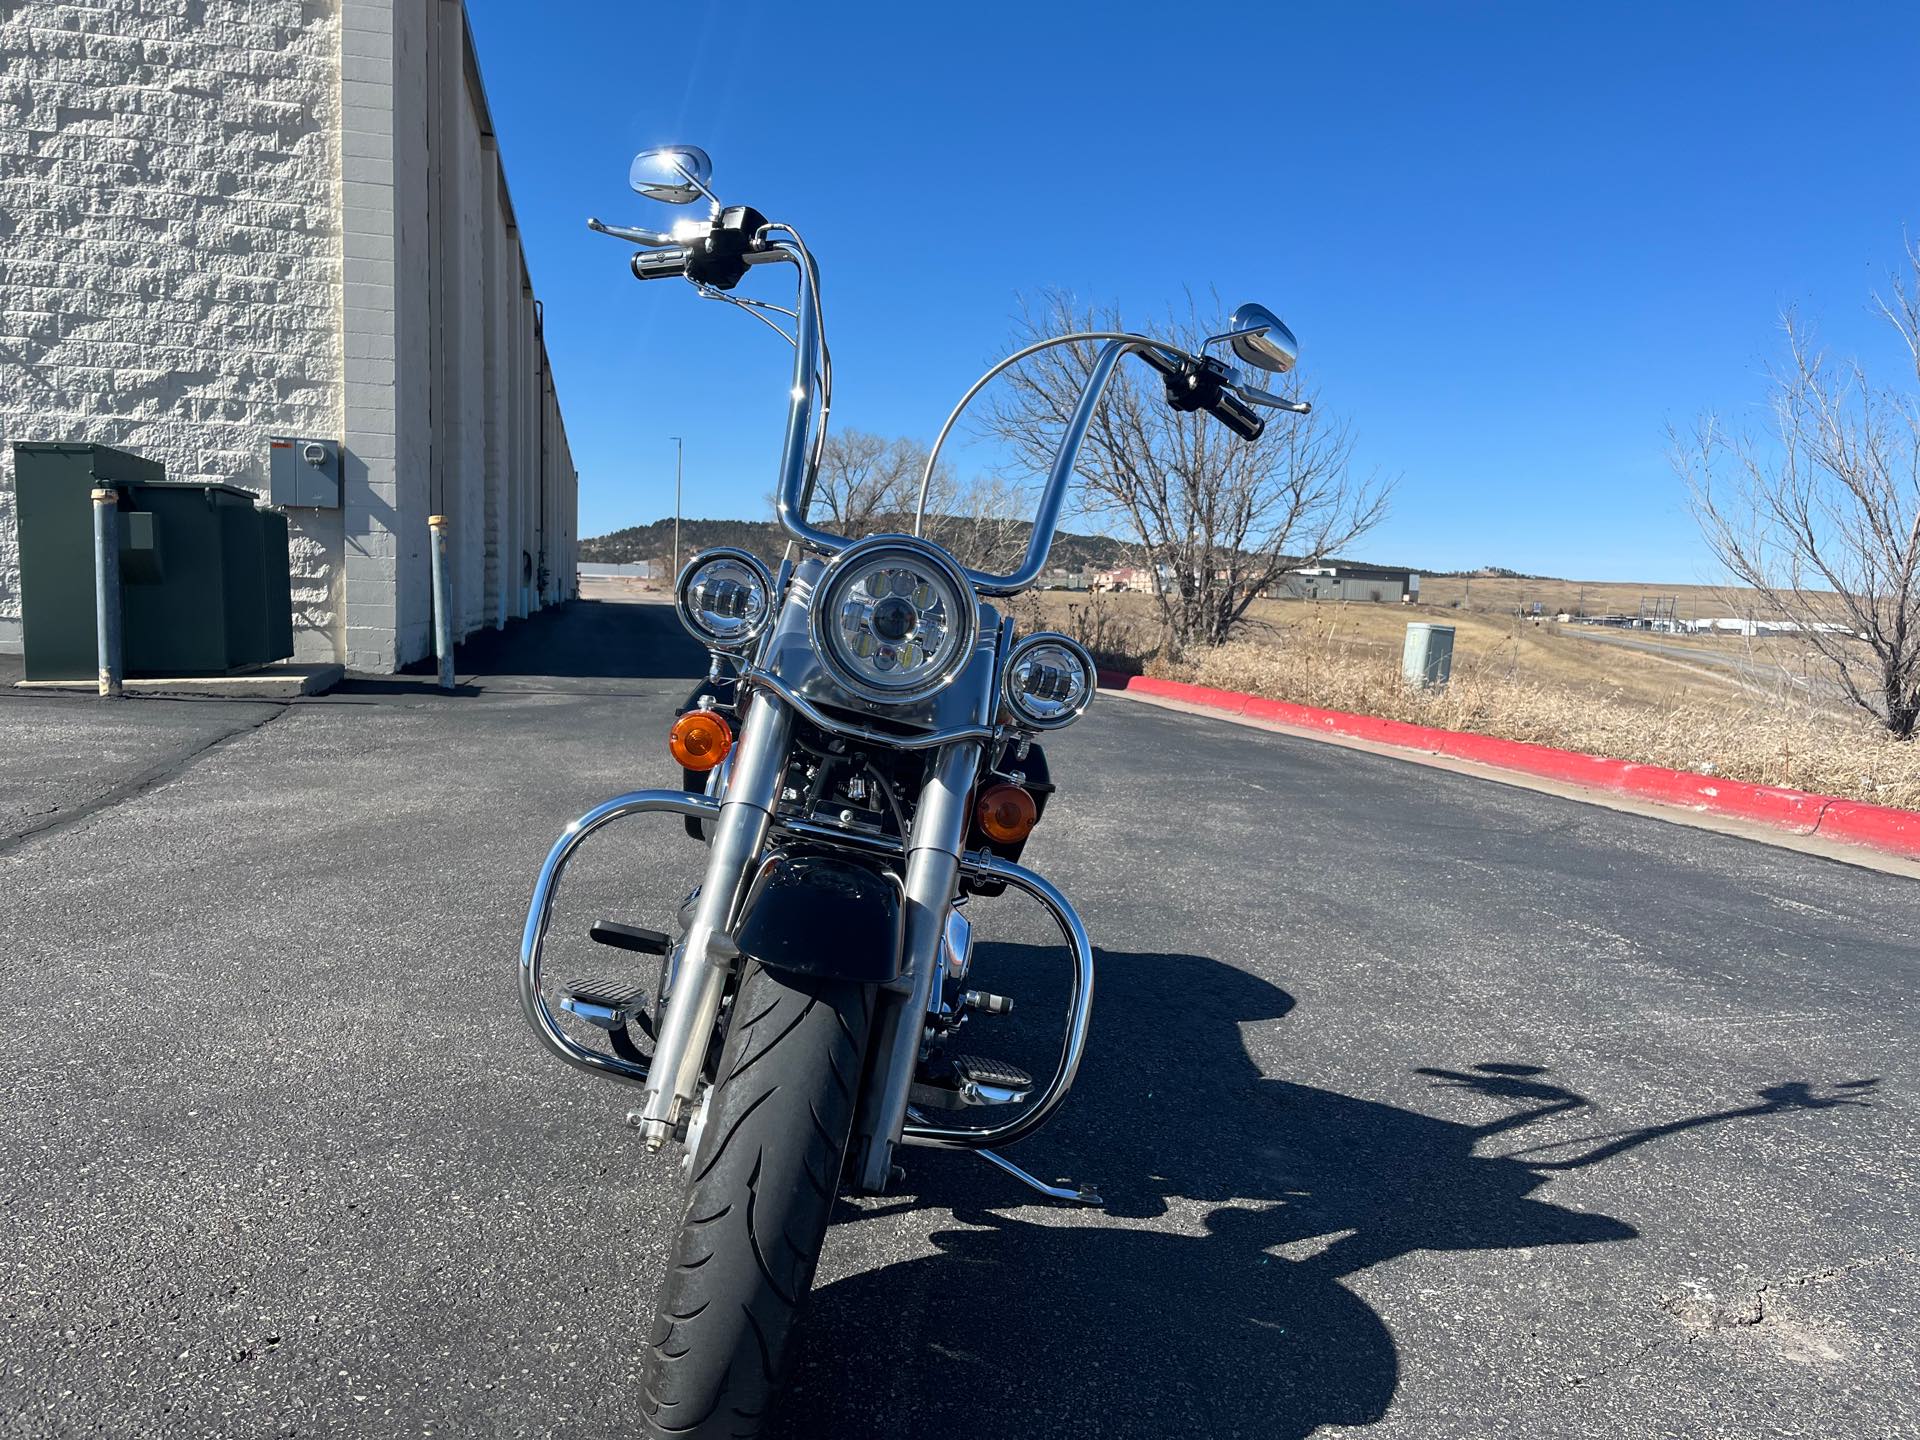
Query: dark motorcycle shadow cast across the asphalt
x=1230, y=1318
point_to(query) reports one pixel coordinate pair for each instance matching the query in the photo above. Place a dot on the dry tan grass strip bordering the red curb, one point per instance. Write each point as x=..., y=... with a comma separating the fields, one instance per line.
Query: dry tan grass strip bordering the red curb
x=1522, y=683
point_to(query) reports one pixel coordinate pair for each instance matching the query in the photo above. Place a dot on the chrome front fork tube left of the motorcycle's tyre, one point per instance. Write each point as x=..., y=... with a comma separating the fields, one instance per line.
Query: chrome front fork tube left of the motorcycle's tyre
x=700, y=984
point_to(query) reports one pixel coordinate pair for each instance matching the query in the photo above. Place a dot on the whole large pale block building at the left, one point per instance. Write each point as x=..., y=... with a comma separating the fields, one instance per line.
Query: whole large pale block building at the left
x=239, y=220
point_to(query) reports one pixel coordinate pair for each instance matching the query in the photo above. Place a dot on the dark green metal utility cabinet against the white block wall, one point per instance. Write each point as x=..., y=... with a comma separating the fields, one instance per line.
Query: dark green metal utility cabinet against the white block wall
x=204, y=571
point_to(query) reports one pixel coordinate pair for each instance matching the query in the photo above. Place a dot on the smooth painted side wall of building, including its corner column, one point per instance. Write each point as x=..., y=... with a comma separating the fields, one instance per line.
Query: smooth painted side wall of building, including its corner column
x=446, y=373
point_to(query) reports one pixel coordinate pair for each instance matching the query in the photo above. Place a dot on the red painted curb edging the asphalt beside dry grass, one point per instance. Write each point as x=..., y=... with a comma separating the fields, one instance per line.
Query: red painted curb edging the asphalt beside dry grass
x=1856, y=823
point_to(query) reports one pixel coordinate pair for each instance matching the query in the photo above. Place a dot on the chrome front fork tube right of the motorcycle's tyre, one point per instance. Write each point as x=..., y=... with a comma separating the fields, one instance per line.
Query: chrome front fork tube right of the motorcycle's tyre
x=932, y=876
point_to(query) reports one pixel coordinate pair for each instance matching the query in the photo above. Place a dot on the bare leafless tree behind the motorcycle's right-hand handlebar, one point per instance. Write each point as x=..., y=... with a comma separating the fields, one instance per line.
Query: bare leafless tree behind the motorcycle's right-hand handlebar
x=1220, y=519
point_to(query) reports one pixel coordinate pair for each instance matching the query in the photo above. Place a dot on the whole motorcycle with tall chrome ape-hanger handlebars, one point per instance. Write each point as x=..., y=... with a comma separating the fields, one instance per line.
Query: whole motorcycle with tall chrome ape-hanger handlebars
x=863, y=759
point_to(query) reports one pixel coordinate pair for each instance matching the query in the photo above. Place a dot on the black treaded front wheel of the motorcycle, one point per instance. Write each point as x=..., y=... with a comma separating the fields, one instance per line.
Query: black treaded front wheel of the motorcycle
x=763, y=1186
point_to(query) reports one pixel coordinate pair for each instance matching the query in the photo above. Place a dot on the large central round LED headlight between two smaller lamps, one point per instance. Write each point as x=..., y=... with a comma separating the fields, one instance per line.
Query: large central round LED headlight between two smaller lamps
x=894, y=619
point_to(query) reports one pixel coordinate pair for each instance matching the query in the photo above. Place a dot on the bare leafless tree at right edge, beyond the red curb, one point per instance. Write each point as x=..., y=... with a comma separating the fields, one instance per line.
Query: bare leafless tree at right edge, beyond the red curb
x=1821, y=514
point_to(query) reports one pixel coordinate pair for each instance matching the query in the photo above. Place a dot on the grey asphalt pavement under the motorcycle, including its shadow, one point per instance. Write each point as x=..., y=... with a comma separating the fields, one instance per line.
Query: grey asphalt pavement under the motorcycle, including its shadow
x=1424, y=1107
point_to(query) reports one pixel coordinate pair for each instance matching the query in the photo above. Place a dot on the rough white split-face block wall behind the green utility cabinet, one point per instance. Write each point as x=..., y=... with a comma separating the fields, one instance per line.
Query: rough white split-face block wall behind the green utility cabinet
x=170, y=249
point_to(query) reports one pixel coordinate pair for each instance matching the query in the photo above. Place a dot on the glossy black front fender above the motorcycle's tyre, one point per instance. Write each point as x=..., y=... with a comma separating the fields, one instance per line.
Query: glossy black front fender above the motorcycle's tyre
x=823, y=915
